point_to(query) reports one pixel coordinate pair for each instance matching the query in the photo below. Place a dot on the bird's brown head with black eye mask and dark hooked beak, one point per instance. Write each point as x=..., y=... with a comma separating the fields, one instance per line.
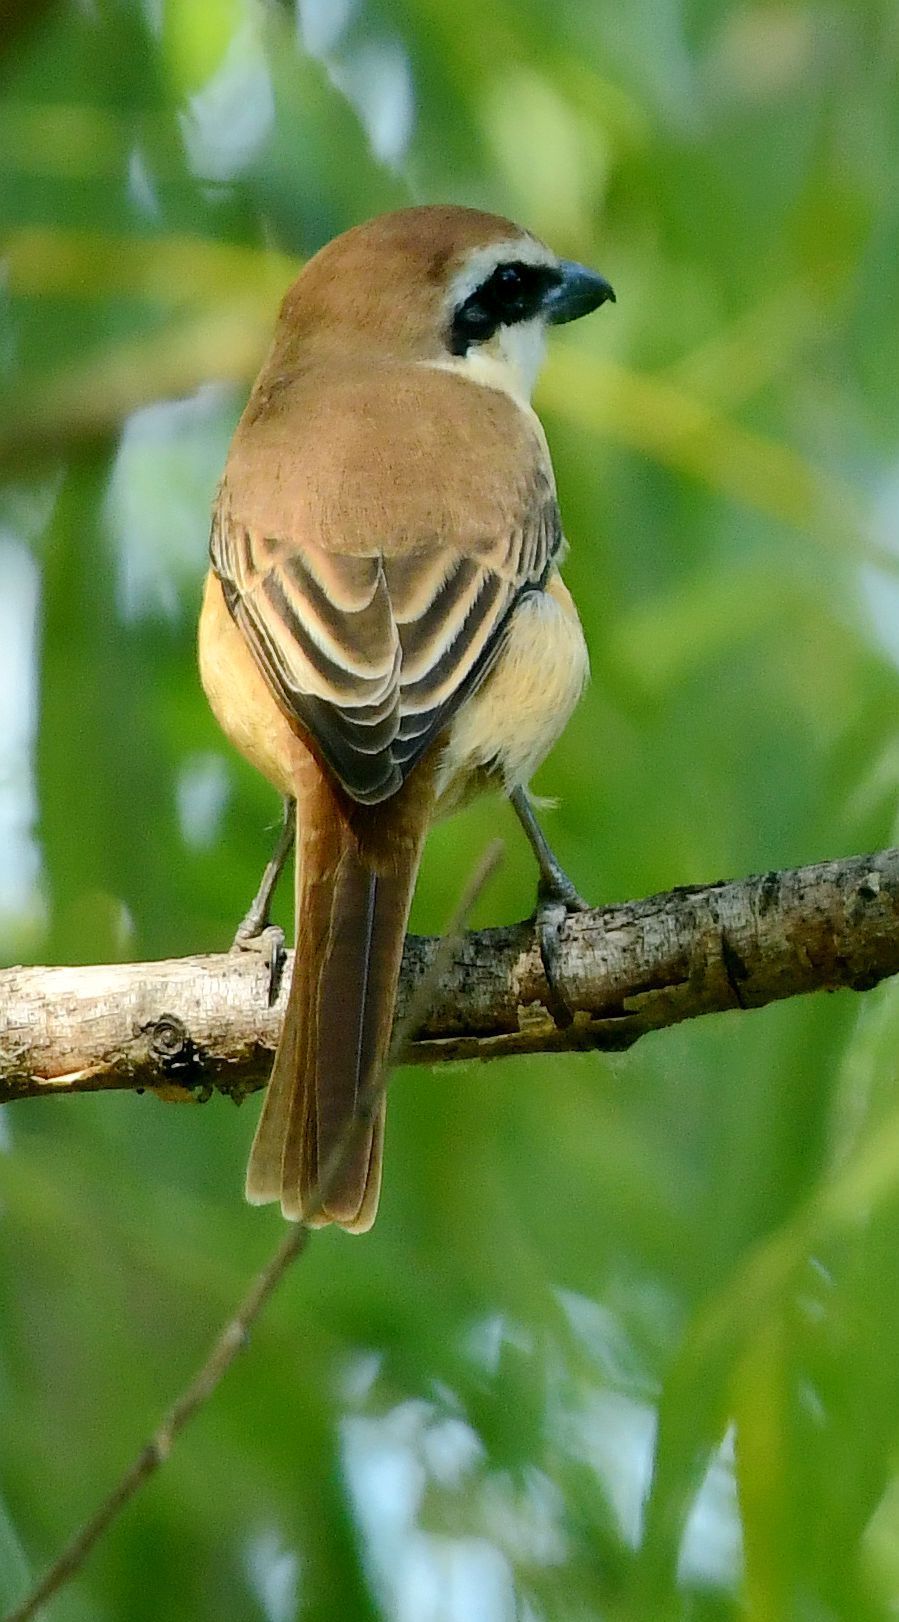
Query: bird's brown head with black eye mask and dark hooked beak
x=442, y=286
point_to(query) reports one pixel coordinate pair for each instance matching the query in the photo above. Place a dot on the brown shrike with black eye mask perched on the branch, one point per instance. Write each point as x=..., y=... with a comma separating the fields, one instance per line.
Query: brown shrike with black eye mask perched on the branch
x=385, y=632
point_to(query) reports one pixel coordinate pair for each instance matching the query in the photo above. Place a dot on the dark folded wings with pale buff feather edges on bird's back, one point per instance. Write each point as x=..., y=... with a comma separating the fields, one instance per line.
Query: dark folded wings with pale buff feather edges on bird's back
x=374, y=654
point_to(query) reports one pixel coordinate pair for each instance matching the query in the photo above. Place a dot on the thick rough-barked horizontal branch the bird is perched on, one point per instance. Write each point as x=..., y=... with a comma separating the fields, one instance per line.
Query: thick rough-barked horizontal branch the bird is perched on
x=189, y=1026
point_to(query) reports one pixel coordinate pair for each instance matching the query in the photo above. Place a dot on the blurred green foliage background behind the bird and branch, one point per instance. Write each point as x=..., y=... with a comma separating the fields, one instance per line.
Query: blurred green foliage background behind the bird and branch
x=624, y=1342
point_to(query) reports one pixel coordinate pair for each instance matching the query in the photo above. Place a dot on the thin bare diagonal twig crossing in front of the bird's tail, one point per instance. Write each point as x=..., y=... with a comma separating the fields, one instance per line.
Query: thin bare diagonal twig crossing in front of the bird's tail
x=234, y=1336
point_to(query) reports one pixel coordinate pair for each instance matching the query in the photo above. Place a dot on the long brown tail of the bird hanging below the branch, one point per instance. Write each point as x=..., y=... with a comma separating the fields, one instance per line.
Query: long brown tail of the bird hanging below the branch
x=356, y=873
